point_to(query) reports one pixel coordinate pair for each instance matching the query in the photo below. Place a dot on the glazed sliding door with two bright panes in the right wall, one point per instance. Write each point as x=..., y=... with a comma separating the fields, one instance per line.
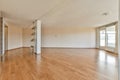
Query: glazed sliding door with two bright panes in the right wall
x=107, y=38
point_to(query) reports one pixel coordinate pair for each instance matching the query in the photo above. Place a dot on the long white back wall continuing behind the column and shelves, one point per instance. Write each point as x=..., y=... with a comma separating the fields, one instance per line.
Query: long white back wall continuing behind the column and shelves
x=74, y=37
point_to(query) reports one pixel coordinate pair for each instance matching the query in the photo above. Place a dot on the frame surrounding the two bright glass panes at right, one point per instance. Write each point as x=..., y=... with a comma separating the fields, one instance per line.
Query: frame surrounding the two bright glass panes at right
x=108, y=48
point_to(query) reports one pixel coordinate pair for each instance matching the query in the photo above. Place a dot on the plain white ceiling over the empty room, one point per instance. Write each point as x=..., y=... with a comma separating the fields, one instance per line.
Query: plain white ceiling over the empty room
x=78, y=13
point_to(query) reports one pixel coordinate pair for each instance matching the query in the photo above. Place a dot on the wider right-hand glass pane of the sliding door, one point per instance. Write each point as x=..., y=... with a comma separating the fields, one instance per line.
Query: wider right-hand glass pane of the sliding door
x=111, y=36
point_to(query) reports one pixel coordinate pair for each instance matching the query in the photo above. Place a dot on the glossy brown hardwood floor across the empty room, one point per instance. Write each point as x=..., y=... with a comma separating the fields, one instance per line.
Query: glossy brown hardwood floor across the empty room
x=59, y=64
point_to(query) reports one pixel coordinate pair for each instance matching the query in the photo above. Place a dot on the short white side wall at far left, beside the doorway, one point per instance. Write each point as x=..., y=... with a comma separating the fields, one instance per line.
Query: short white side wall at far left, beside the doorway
x=14, y=37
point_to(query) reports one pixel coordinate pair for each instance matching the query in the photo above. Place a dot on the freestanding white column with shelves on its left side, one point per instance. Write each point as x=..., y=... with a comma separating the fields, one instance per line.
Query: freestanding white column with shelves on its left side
x=38, y=37
